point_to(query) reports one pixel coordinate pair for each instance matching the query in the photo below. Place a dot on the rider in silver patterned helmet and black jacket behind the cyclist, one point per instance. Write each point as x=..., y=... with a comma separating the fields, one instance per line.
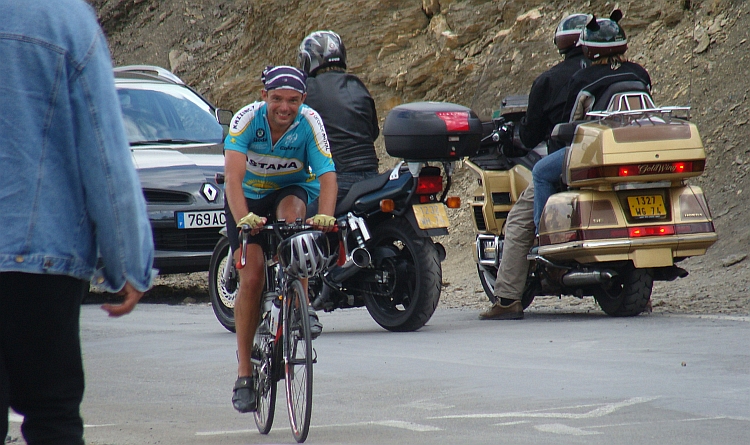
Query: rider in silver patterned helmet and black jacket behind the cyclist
x=345, y=104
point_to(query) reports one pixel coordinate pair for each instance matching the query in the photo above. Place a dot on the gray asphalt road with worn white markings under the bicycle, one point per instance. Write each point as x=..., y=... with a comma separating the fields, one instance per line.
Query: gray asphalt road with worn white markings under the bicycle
x=164, y=375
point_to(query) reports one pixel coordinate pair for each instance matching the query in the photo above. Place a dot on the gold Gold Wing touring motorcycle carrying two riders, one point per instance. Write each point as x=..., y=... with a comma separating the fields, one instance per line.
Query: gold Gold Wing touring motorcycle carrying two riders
x=626, y=216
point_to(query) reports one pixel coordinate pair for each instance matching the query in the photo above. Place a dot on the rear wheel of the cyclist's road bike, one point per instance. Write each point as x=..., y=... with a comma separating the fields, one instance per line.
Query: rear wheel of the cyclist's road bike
x=265, y=370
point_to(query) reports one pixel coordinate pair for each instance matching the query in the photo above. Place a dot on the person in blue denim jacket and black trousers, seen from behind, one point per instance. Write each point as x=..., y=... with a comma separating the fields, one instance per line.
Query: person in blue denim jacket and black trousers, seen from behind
x=69, y=197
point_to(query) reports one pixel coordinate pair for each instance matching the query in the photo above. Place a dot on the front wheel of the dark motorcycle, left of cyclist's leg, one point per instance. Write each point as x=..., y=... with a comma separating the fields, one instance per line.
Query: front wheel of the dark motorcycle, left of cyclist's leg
x=221, y=293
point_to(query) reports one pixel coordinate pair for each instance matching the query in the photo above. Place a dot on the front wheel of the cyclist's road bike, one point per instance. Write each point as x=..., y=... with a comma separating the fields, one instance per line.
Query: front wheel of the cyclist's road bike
x=298, y=357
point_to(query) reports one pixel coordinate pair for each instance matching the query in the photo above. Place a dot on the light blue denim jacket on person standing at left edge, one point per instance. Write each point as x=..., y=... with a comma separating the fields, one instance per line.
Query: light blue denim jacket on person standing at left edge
x=69, y=193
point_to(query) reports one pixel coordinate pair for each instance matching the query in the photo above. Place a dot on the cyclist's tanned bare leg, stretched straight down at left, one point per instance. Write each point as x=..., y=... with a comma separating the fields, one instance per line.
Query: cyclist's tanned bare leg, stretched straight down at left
x=247, y=305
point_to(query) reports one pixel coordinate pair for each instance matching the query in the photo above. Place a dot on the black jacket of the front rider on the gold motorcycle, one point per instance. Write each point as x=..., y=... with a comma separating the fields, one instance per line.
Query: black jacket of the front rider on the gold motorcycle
x=547, y=99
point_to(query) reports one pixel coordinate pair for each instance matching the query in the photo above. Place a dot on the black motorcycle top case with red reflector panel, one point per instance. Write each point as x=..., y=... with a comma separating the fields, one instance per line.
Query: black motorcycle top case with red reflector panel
x=432, y=131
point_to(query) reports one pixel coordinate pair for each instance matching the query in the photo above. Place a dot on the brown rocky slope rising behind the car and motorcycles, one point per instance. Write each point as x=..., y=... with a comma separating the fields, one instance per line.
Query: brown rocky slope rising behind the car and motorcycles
x=472, y=52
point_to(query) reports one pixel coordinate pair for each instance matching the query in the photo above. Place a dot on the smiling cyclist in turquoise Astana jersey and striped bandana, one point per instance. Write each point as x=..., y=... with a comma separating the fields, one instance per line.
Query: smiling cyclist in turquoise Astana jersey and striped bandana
x=277, y=160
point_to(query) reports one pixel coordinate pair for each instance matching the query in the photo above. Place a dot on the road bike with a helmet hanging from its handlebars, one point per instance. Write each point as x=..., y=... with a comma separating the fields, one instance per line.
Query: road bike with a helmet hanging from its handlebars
x=282, y=348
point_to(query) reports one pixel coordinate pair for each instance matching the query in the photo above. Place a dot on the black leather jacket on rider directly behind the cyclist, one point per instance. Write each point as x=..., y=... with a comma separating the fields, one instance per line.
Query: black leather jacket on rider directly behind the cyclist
x=349, y=115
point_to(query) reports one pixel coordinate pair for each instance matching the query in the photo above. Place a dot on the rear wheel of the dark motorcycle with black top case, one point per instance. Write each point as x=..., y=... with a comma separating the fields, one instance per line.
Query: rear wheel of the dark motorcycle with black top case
x=406, y=300
